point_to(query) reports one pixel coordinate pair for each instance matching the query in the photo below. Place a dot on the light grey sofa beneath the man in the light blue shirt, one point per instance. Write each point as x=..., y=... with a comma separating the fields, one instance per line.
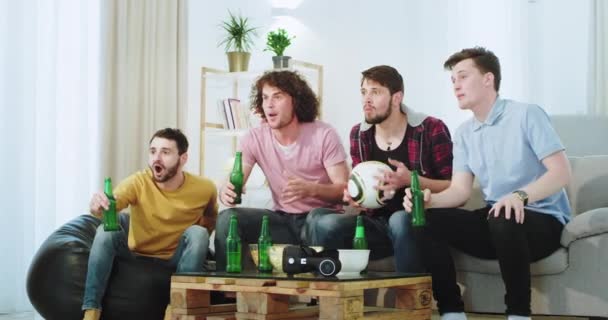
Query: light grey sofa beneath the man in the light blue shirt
x=574, y=280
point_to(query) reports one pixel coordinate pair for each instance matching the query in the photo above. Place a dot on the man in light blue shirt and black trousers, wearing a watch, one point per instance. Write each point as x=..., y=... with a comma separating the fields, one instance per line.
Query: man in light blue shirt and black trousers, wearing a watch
x=519, y=161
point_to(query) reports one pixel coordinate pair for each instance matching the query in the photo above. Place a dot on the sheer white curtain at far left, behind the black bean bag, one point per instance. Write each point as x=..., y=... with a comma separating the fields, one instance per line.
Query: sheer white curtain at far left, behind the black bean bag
x=49, y=128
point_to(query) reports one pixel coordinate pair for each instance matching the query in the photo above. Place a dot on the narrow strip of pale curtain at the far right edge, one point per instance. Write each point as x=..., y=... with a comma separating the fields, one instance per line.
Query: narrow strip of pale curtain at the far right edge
x=598, y=66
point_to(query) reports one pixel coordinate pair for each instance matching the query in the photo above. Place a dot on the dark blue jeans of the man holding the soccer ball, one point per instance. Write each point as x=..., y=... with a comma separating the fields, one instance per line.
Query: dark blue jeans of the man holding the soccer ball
x=386, y=236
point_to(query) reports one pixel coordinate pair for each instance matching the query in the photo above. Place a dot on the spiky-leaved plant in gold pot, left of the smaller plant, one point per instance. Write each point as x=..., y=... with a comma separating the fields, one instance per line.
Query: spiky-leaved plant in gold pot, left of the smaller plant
x=238, y=41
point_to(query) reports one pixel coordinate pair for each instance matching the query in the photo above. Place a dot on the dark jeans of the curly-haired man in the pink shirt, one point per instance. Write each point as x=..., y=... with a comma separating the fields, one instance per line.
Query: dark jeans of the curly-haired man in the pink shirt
x=284, y=228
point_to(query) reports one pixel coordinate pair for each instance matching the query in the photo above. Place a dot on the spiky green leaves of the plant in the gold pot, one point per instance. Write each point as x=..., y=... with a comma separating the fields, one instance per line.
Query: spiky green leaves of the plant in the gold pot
x=239, y=33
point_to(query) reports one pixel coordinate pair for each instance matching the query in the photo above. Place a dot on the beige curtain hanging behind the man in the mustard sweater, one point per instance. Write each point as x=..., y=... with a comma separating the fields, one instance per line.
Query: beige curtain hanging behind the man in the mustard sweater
x=144, y=86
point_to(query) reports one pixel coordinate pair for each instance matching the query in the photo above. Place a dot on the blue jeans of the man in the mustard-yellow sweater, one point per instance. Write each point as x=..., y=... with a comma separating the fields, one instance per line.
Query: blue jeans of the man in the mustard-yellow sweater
x=189, y=256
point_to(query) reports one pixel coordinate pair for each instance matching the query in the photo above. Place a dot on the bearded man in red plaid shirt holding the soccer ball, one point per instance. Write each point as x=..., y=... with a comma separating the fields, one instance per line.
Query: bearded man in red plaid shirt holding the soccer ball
x=405, y=140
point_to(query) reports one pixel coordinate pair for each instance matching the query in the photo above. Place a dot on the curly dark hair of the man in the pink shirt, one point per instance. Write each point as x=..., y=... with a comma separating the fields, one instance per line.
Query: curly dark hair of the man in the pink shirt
x=305, y=101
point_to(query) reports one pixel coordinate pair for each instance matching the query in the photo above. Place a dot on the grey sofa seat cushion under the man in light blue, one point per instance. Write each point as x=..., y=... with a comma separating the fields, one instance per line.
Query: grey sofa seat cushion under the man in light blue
x=553, y=264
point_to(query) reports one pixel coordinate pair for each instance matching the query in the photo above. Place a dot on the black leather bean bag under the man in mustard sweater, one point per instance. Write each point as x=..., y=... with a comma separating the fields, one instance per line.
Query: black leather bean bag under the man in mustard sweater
x=138, y=289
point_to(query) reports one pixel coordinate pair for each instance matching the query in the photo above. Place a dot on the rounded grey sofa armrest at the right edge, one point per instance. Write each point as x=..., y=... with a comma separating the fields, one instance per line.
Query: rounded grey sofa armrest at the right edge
x=590, y=223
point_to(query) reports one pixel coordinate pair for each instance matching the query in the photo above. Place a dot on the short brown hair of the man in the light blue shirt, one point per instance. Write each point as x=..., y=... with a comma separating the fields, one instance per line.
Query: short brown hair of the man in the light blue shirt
x=484, y=59
